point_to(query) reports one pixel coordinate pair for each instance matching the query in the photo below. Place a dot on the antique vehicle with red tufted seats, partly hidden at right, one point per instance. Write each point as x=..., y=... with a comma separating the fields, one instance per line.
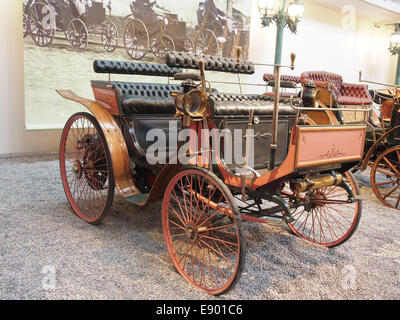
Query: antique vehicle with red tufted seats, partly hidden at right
x=381, y=151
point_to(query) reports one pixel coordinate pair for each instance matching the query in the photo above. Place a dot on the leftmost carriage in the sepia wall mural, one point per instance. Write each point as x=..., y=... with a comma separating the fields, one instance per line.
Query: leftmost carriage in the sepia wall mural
x=76, y=18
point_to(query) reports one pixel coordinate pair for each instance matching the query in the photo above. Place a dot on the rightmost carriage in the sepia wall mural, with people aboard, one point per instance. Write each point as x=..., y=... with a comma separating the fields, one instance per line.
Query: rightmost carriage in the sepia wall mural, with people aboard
x=218, y=33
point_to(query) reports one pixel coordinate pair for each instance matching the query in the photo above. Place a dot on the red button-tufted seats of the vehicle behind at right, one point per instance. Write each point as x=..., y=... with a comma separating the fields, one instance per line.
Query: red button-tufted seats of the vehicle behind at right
x=346, y=93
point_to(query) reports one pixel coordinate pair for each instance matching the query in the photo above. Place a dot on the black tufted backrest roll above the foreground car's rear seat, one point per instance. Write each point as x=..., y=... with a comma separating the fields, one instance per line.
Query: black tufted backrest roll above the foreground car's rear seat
x=146, y=69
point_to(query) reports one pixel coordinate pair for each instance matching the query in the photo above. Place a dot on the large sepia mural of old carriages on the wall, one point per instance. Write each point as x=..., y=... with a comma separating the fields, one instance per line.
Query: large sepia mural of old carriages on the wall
x=63, y=37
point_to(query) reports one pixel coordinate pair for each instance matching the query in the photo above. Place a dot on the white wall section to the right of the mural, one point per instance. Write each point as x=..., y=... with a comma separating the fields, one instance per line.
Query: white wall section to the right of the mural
x=324, y=41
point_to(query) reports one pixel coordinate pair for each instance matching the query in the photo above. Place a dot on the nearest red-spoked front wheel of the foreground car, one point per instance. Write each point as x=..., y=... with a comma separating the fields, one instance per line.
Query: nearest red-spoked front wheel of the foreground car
x=202, y=230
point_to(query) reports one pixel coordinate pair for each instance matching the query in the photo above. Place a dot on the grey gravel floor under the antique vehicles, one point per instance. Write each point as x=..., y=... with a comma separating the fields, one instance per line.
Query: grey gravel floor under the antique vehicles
x=126, y=258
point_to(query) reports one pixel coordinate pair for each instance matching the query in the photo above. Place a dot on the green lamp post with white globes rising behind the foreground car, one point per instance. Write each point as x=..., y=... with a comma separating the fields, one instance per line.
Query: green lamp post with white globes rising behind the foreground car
x=282, y=17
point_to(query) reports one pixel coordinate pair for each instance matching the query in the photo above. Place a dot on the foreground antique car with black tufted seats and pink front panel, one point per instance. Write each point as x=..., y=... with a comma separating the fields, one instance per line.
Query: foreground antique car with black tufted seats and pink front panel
x=296, y=178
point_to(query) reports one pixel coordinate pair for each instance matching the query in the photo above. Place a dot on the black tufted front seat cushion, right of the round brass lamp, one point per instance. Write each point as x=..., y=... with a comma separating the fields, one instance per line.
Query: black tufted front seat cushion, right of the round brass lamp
x=231, y=105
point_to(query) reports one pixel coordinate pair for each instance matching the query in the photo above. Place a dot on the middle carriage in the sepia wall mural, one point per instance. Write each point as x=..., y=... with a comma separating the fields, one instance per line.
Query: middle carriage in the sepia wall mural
x=152, y=26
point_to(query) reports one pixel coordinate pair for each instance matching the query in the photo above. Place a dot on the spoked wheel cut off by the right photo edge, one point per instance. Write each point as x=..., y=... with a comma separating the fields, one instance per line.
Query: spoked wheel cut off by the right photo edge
x=385, y=177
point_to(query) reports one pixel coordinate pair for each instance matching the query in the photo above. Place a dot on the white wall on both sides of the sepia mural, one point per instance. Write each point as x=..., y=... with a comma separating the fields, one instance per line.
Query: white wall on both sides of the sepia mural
x=321, y=44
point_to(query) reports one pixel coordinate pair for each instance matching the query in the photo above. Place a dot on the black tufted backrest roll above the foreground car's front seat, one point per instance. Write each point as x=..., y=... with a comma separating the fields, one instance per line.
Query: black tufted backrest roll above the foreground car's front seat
x=212, y=63
